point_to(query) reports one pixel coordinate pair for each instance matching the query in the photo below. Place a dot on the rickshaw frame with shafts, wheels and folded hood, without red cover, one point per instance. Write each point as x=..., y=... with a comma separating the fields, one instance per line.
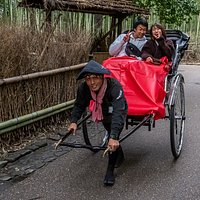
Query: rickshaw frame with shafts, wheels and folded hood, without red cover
x=174, y=103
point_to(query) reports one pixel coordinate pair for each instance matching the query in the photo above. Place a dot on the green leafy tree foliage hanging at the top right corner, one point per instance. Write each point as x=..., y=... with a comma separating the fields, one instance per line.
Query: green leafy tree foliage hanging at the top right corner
x=173, y=11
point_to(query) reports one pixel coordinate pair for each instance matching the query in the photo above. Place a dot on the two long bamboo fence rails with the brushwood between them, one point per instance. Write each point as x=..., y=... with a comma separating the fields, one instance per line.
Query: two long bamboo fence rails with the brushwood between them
x=21, y=97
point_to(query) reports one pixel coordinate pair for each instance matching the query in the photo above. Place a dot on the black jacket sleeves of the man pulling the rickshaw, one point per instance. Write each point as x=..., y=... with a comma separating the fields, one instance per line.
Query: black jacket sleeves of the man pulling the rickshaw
x=114, y=105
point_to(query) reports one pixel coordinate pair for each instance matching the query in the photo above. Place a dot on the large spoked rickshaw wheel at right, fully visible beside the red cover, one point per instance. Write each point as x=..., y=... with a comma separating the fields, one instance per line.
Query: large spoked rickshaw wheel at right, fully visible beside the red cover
x=177, y=119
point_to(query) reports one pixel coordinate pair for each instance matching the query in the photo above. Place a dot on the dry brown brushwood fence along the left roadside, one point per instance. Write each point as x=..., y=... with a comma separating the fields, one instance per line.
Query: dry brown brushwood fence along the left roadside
x=35, y=74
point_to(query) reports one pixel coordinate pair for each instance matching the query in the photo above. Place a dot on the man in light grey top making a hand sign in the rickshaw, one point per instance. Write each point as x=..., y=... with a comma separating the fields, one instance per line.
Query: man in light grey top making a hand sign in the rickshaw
x=130, y=43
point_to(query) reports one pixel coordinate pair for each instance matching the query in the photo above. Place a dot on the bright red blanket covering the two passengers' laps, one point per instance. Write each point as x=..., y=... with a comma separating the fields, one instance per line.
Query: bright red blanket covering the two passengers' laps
x=143, y=84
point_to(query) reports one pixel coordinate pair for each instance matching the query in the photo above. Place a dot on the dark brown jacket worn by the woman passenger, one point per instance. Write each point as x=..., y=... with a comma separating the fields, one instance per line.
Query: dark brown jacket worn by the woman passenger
x=158, y=49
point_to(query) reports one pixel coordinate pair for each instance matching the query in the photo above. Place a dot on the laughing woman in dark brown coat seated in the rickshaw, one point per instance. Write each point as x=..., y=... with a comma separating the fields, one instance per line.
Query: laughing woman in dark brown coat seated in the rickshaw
x=158, y=46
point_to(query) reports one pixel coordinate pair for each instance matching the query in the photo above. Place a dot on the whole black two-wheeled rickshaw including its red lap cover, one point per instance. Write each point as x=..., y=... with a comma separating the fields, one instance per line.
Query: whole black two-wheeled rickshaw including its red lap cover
x=171, y=102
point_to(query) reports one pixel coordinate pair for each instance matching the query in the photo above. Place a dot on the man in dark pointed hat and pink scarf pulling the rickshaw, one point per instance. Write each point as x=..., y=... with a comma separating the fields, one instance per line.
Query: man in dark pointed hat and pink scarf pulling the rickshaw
x=110, y=108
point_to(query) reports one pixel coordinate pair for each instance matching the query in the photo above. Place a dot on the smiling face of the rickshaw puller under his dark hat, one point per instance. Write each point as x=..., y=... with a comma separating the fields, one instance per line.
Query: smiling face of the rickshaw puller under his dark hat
x=94, y=82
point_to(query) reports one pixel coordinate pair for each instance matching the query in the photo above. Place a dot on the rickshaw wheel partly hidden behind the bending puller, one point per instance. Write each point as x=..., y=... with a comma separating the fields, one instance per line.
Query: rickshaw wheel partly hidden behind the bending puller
x=94, y=134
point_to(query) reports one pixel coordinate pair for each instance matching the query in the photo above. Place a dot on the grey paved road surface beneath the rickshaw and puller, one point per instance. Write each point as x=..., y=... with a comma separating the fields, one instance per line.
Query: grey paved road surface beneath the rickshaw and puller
x=148, y=173
